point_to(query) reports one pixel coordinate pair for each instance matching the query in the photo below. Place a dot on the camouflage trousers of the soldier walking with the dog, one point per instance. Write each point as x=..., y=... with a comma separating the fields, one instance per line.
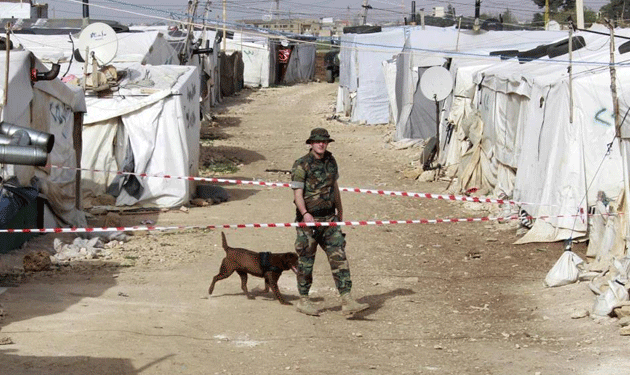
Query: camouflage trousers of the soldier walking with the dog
x=333, y=242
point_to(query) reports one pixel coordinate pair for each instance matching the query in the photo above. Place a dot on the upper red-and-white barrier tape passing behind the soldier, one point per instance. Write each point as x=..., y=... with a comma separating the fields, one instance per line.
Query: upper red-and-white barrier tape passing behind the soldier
x=284, y=184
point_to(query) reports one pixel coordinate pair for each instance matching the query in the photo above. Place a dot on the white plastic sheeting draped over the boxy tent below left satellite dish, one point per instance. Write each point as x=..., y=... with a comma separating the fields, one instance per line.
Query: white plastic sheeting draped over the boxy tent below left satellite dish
x=162, y=130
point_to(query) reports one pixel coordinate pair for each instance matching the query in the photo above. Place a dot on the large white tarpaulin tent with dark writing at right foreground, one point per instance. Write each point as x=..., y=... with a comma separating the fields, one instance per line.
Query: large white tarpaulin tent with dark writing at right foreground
x=530, y=149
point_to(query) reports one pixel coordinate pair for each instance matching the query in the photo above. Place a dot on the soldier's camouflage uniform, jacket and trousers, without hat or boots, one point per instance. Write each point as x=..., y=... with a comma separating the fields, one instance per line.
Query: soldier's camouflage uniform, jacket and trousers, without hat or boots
x=317, y=177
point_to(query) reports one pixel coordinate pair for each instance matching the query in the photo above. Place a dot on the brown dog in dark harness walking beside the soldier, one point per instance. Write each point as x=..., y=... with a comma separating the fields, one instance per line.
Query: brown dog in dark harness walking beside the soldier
x=266, y=265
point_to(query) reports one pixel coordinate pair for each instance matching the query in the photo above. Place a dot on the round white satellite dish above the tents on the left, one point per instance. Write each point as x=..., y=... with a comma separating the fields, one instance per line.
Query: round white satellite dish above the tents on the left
x=101, y=40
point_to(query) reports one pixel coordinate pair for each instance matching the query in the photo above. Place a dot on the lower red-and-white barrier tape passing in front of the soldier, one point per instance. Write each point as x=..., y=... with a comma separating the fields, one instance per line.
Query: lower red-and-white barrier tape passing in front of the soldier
x=278, y=225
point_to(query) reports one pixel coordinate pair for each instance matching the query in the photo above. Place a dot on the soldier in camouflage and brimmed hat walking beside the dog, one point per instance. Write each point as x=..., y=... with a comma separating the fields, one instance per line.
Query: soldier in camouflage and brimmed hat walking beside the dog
x=317, y=199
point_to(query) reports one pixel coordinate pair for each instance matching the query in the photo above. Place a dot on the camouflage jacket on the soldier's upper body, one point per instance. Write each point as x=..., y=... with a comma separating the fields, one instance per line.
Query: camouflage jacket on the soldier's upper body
x=317, y=177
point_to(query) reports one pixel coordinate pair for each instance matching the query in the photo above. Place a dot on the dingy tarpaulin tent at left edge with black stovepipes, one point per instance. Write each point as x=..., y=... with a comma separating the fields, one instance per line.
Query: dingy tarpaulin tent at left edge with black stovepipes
x=47, y=106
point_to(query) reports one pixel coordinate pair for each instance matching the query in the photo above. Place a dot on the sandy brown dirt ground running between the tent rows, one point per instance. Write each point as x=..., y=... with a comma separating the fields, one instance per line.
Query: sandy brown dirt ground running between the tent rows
x=445, y=298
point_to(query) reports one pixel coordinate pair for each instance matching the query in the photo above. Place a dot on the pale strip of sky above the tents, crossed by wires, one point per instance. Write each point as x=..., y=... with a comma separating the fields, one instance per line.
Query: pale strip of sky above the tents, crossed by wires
x=151, y=11
